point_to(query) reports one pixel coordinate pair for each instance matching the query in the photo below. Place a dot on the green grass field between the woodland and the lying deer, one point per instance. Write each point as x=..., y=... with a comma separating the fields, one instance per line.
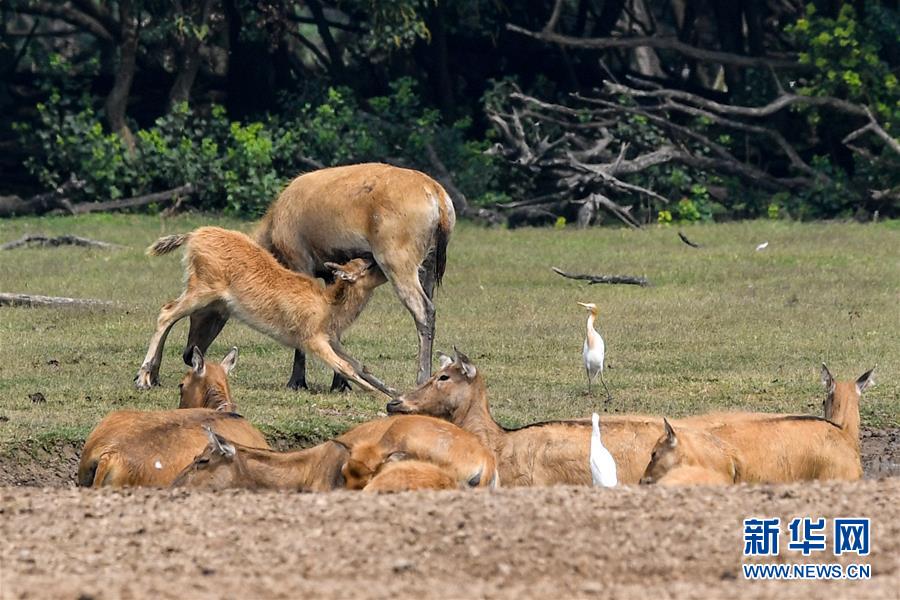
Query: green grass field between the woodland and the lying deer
x=721, y=327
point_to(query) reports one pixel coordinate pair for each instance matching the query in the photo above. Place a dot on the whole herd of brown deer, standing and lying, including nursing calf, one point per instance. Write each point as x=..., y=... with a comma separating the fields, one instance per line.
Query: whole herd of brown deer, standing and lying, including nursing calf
x=358, y=227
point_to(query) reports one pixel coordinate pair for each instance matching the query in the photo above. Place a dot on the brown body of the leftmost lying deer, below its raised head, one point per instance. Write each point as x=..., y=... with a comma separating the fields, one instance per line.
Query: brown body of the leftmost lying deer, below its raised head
x=124, y=448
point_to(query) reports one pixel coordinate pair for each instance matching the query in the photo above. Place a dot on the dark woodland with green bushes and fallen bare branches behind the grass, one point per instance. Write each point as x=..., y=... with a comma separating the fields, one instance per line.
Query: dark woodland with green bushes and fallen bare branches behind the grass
x=236, y=97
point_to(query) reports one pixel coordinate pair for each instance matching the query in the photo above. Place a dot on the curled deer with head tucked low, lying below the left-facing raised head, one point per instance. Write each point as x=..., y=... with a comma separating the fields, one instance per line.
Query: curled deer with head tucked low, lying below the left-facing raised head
x=455, y=451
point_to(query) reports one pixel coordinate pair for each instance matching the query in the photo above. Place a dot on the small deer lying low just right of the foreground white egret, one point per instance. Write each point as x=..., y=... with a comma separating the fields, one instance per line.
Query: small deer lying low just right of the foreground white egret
x=691, y=457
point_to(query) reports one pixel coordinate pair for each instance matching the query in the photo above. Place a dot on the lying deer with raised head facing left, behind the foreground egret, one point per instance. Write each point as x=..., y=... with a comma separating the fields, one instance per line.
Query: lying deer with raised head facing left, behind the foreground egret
x=551, y=453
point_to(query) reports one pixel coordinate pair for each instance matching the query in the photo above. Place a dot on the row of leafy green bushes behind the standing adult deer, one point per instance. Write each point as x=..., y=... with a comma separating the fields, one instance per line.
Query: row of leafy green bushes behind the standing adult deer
x=240, y=167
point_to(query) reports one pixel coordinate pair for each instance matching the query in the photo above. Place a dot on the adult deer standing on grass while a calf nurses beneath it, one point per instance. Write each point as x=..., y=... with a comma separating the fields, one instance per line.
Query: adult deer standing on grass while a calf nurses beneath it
x=401, y=217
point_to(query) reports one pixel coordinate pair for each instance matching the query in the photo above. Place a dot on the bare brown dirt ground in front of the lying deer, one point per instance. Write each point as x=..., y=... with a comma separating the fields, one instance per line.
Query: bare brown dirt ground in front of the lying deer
x=563, y=542
